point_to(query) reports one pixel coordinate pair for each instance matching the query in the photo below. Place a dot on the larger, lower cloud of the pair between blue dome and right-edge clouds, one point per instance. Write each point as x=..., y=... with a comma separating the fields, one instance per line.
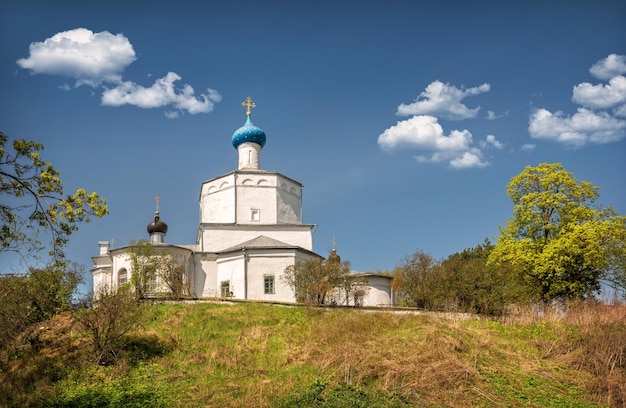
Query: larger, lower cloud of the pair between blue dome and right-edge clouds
x=426, y=134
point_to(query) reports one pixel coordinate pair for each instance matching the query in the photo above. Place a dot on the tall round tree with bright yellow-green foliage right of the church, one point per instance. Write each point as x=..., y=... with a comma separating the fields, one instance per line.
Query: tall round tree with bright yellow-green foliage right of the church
x=563, y=244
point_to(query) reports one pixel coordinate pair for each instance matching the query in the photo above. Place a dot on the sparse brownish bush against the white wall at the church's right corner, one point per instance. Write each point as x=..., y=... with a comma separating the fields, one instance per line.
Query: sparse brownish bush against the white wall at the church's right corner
x=319, y=281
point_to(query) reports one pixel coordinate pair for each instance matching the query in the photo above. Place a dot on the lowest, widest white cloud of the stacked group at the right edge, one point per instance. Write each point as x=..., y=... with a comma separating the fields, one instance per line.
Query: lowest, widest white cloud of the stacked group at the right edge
x=576, y=130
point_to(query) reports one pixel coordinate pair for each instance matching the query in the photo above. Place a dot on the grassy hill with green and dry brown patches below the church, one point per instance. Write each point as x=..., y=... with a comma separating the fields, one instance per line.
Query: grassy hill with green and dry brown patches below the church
x=255, y=355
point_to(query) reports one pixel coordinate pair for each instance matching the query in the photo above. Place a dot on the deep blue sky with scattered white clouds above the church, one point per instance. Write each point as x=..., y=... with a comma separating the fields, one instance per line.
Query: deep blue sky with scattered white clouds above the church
x=404, y=120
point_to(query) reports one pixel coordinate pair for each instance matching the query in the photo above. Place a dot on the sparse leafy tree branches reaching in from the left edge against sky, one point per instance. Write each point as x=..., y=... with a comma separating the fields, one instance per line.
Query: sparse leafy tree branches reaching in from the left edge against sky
x=33, y=200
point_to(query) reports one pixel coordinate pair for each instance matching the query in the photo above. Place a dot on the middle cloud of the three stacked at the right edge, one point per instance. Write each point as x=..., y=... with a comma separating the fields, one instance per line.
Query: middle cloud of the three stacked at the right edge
x=601, y=96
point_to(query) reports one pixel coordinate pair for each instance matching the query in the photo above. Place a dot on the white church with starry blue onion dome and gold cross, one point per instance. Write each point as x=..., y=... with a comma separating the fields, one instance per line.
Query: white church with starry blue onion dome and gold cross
x=250, y=230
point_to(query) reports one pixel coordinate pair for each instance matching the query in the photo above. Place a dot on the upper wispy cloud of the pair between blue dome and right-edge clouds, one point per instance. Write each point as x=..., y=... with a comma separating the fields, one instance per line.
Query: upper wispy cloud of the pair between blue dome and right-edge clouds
x=443, y=100
